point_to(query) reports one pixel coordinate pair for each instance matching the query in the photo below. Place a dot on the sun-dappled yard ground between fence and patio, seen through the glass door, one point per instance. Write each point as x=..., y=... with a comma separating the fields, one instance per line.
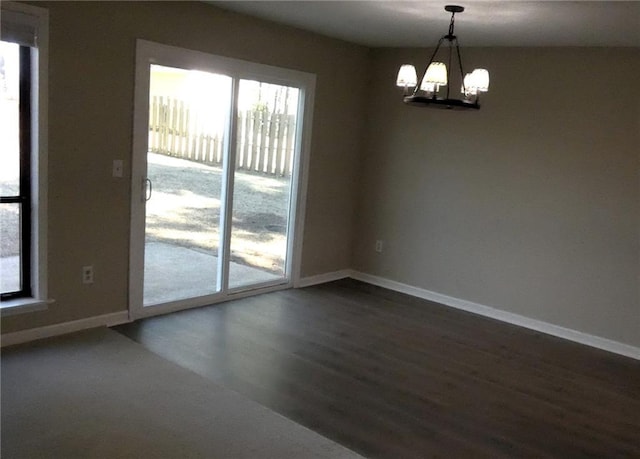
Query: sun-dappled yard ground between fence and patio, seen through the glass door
x=184, y=210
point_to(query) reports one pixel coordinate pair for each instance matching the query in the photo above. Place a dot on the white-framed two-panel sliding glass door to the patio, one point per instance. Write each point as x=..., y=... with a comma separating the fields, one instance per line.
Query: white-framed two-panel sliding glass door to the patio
x=216, y=174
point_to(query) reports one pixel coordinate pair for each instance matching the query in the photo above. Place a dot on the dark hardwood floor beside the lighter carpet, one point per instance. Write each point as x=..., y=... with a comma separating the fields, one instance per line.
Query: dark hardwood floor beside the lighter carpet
x=392, y=376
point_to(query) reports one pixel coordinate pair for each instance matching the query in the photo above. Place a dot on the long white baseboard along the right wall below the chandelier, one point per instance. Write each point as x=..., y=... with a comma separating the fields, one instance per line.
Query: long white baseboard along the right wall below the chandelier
x=504, y=316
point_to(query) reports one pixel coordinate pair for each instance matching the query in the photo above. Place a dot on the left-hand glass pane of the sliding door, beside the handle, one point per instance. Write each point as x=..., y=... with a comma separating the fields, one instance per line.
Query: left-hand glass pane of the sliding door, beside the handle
x=188, y=113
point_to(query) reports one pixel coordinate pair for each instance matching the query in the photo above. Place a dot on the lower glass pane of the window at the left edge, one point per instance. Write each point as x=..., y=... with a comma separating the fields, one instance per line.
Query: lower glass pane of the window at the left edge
x=10, y=248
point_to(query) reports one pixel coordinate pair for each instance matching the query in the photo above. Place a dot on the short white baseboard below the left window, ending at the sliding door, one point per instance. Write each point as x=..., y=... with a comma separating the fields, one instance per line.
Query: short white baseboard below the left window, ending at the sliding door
x=32, y=334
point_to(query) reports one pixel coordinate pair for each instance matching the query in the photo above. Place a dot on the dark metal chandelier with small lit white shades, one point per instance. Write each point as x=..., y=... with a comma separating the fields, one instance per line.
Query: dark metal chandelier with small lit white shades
x=438, y=76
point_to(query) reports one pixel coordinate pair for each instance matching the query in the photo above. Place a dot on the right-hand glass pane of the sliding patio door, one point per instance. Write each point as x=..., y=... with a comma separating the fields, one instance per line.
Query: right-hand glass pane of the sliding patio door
x=262, y=187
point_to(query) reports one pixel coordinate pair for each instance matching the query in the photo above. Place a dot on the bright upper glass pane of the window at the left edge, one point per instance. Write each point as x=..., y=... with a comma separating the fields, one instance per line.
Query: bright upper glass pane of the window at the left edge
x=9, y=119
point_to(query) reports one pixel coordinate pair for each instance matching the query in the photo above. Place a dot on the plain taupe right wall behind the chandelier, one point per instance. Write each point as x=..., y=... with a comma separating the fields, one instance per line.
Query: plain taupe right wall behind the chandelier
x=530, y=205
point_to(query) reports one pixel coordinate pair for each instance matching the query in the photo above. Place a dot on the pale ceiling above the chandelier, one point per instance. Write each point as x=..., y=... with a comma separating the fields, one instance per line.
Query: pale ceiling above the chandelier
x=389, y=23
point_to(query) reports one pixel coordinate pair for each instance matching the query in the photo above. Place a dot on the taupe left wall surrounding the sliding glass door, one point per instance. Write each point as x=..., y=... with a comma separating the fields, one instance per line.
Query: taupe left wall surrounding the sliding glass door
x=91, y=75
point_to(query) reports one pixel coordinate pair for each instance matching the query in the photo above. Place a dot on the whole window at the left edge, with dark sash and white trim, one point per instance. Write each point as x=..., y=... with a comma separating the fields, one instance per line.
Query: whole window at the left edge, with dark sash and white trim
x=23, y=52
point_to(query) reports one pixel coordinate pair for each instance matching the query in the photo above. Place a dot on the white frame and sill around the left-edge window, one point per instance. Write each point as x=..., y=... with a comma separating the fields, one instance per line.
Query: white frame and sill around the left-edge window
x=36, y=20
